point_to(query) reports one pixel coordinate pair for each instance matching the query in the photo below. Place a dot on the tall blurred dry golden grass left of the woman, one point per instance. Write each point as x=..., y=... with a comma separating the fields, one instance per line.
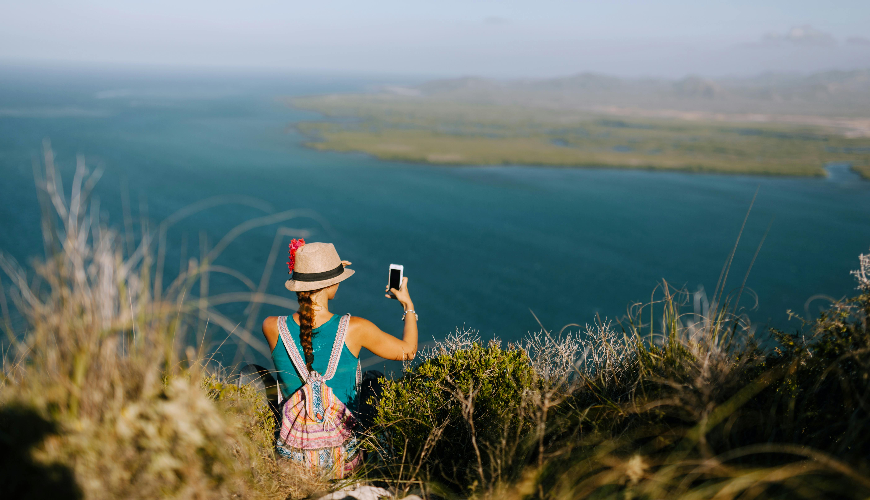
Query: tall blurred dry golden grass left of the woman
x=100, y=397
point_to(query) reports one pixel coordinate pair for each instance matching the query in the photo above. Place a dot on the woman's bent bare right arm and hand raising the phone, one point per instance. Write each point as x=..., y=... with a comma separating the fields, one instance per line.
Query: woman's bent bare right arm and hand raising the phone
x=366, y=334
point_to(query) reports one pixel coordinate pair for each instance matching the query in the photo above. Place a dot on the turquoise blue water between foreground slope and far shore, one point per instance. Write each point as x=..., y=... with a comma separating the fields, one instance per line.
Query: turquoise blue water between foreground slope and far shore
x=483, y=246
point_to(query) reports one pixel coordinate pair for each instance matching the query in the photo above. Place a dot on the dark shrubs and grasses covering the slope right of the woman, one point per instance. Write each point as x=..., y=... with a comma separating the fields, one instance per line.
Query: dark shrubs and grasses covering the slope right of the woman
x=691, y=409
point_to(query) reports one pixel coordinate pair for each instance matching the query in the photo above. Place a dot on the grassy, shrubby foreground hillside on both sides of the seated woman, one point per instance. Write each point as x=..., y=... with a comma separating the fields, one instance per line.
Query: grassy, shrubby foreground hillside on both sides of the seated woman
x=101, y=396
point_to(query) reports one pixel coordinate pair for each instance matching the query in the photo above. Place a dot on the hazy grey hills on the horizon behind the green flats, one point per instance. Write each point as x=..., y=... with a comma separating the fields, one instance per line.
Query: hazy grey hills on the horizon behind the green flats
x=831, y=93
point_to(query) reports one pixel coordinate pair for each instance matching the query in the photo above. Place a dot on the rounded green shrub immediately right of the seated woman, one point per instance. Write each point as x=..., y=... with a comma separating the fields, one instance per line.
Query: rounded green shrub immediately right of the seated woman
x=460, y=414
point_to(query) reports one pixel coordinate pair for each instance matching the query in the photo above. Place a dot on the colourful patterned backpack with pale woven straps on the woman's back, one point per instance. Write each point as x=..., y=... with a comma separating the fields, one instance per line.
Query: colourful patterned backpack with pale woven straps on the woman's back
x=317, y=428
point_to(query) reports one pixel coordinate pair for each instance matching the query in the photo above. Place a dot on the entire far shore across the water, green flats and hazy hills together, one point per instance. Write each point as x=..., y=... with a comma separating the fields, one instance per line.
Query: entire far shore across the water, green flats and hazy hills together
x=596, y=121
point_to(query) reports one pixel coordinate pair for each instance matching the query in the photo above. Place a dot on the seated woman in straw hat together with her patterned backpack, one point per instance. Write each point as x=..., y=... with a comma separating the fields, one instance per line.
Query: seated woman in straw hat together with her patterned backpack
x=316, y=429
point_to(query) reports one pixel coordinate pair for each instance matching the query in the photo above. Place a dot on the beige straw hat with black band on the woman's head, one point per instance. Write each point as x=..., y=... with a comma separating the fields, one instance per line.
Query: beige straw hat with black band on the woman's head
x=317, y=266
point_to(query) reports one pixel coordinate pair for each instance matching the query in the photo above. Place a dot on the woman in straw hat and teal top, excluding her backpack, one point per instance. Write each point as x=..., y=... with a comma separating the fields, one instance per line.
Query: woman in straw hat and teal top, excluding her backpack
x=316, y=272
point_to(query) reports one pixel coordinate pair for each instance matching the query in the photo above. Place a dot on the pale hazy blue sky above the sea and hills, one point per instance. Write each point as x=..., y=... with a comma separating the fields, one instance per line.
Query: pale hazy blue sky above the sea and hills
x=508, y=39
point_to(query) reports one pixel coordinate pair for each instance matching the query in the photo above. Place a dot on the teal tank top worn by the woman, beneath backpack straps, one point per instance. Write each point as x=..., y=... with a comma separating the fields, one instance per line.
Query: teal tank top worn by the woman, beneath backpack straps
x=343, y=384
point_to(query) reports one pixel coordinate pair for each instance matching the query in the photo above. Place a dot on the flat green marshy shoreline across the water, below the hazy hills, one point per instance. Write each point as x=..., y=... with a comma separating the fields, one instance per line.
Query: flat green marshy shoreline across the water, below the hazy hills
x=461, y=134
